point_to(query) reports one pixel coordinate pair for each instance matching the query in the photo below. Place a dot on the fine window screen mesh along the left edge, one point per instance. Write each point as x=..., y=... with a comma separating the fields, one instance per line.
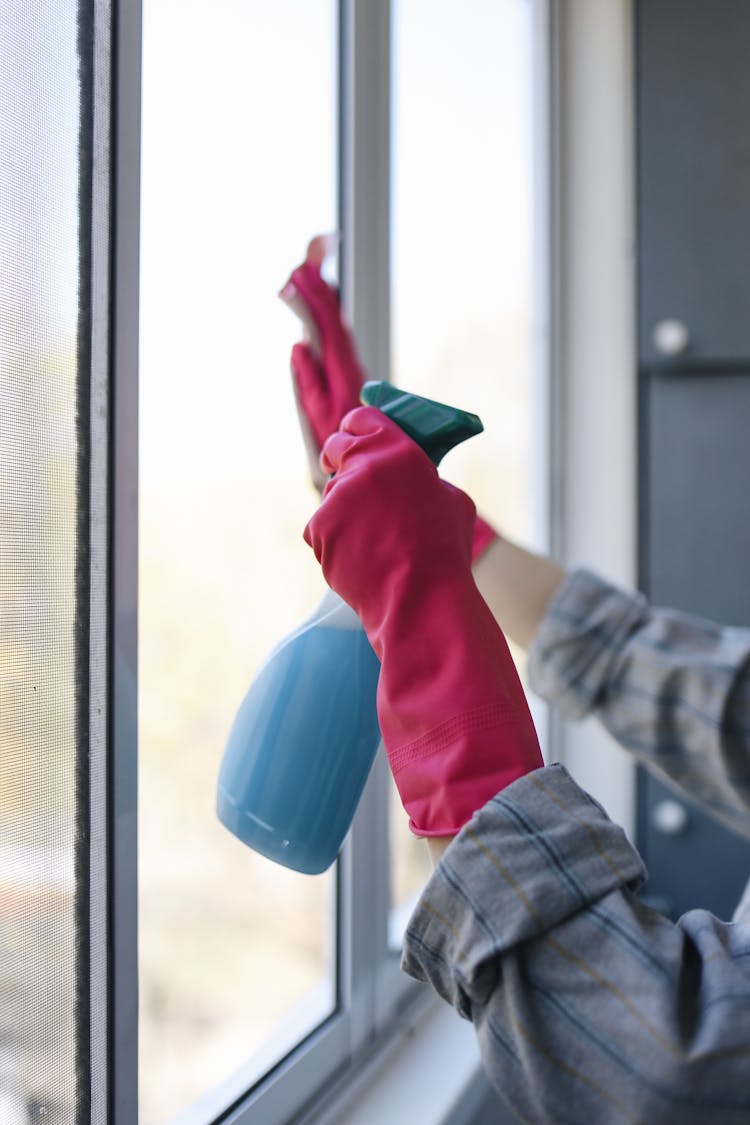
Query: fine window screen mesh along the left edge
x=42, y=677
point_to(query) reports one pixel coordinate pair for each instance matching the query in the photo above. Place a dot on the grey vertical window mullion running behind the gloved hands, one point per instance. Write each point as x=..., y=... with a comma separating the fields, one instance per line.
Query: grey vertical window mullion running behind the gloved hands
x=366, y=282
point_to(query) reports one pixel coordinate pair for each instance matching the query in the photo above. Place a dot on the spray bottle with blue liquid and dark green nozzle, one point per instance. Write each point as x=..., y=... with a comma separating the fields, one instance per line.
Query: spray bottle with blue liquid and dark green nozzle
x=304, y=740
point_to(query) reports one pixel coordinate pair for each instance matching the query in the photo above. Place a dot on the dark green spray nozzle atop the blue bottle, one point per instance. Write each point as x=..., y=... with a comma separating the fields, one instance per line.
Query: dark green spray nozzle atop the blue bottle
x=435, y=427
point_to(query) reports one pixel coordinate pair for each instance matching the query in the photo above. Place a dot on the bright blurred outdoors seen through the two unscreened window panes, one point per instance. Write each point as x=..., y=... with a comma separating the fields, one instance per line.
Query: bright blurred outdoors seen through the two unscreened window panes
x=239, y=172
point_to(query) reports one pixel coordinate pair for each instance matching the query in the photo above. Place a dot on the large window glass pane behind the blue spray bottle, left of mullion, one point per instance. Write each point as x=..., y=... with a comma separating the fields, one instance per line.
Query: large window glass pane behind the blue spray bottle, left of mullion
x=239, y=170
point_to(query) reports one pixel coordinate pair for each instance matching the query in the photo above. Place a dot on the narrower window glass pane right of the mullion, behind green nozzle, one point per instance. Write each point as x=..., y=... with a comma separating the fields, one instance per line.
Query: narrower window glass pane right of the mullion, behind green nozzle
x=463, y=256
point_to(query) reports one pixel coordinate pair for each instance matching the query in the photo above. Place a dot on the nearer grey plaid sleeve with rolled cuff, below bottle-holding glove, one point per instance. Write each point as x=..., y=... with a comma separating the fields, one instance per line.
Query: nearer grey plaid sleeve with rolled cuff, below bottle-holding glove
x=589, y=1006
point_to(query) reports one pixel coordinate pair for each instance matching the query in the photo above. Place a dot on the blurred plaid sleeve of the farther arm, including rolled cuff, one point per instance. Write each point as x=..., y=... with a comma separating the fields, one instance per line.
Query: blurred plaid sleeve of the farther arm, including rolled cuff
x=673, y=689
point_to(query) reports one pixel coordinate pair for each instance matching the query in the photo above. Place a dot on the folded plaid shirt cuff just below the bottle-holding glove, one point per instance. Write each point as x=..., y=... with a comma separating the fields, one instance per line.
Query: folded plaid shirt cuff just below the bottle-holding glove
x=537, y=854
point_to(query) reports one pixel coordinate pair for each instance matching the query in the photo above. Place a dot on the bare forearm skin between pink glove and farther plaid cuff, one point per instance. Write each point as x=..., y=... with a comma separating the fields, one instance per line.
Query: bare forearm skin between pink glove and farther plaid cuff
x=518, y=586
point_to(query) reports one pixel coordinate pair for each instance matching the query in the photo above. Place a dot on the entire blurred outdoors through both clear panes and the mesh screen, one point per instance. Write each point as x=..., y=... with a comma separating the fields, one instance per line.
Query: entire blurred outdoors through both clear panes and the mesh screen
x=240, y=130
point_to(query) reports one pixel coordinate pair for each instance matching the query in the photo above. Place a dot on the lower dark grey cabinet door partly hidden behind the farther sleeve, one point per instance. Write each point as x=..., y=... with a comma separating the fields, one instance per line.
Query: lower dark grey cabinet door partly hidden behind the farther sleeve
x=695, y=541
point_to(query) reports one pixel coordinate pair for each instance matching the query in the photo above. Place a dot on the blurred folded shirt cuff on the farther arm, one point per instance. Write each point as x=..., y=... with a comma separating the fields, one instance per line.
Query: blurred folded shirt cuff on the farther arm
x=582, y=634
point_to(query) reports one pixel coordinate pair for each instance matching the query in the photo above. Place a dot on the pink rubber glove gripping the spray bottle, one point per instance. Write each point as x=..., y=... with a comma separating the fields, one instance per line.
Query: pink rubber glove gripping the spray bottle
x=395, y=543
